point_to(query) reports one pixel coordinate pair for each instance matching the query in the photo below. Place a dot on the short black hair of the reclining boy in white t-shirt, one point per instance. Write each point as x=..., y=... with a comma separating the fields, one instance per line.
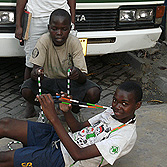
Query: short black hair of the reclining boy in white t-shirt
x=132, y=86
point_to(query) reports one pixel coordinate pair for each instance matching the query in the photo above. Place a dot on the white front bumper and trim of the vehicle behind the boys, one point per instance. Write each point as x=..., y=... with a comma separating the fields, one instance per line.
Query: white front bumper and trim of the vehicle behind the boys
x=125, y=40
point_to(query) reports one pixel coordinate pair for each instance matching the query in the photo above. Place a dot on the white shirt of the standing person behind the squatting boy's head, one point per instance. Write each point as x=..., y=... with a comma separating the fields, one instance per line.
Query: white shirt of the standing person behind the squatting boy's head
x=43, y=8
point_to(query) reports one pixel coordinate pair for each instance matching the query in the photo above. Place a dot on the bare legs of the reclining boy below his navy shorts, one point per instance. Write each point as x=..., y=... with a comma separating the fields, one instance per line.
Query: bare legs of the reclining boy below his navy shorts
x=15, y=129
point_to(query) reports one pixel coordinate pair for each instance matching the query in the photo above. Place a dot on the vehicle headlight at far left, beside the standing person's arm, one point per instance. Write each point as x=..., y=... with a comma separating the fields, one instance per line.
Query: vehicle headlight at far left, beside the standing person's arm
x=6, y=17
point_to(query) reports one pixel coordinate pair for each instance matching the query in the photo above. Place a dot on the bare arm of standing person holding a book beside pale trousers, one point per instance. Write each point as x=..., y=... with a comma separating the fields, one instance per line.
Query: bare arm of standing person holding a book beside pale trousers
x=19, y=12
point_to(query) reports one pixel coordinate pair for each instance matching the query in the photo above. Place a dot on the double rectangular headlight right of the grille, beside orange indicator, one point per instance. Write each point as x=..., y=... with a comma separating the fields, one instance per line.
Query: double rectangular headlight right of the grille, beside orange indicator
x=136, y=15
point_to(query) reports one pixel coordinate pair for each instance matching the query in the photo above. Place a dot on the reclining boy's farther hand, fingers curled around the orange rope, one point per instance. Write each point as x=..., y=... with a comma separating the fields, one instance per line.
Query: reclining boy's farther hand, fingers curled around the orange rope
x=65, y=107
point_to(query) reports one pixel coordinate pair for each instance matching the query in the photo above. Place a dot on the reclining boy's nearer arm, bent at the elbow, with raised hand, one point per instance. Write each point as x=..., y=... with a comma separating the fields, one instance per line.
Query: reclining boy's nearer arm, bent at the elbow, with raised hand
x=76, y=152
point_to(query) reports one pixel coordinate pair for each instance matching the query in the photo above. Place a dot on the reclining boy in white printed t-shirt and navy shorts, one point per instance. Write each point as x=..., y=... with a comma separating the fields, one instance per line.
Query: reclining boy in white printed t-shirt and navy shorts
x=98, y=141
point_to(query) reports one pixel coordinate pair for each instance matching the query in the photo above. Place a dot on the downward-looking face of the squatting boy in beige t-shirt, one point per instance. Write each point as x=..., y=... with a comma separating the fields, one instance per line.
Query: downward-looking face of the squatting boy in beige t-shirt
x=59, y=29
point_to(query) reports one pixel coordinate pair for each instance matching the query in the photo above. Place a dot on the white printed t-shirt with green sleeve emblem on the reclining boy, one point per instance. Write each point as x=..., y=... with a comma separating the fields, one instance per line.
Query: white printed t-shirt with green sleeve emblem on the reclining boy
x=111, y=145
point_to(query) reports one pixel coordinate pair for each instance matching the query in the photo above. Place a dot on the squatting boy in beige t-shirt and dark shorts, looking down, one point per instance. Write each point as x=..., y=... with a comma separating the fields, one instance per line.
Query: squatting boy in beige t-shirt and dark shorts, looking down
x=54, y=53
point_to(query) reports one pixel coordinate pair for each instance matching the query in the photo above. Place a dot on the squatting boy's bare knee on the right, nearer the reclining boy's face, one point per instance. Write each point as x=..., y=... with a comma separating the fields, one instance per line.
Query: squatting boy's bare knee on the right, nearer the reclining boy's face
x=93, y=95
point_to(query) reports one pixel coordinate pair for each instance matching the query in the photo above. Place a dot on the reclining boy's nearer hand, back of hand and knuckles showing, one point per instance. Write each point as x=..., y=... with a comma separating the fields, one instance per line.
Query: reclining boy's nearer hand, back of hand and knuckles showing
x=48, y=105
